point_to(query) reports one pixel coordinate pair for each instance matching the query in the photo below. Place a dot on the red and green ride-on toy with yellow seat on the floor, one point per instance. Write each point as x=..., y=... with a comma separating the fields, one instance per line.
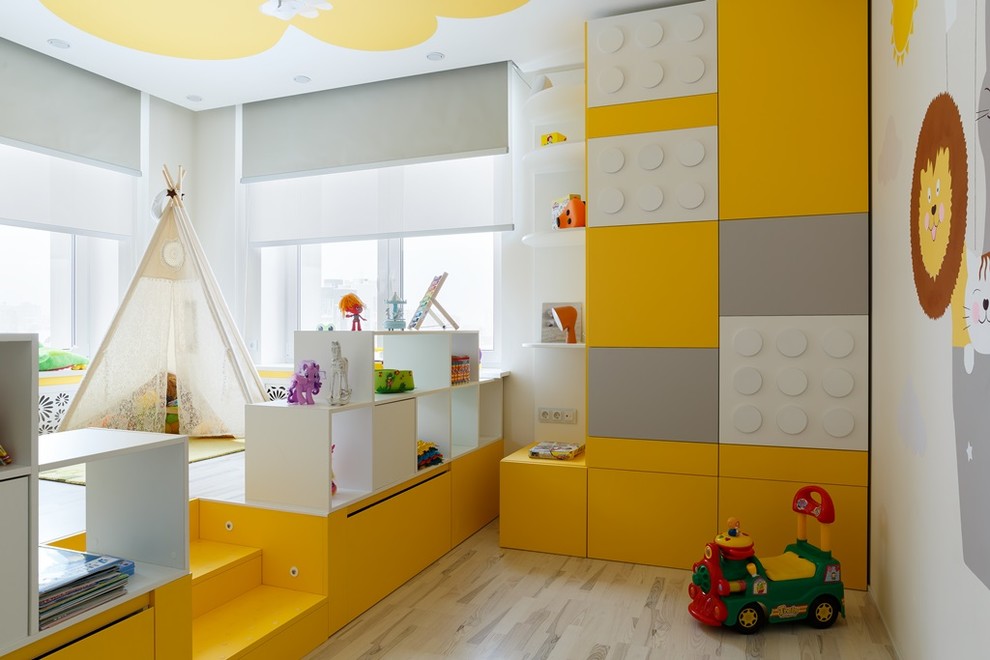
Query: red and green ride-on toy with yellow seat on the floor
x=732, y=587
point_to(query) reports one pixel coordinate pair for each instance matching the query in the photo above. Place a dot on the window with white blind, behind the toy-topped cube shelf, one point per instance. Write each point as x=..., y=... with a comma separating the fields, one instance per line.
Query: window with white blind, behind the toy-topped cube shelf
x=376, y=233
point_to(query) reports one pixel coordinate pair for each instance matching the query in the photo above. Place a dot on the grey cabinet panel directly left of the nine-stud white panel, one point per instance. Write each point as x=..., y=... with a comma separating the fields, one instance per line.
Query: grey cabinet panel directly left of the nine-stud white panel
x=653, y=393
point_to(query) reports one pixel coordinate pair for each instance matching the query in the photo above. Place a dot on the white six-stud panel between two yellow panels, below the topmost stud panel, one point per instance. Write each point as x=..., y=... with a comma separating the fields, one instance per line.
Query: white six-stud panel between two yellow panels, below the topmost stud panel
x=646, y=178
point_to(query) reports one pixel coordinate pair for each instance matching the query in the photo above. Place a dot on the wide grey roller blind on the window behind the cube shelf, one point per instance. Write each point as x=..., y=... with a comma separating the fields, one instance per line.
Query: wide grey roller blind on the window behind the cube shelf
x=419, y=118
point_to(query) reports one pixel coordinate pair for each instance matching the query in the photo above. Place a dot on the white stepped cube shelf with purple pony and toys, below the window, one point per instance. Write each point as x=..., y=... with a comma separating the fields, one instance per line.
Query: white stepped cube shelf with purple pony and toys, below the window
x=288, y=457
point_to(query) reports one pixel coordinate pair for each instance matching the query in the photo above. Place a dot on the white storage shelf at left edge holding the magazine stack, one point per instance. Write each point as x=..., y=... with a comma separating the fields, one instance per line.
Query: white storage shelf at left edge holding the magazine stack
x=137, y=497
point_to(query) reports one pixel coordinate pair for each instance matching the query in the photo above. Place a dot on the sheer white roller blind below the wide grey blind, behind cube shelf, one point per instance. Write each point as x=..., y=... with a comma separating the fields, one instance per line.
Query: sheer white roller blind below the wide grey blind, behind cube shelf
x=464, y=194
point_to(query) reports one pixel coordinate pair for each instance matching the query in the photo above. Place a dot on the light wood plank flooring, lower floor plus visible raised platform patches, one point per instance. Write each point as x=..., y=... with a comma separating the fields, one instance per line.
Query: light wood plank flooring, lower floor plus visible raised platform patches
x=483, y=601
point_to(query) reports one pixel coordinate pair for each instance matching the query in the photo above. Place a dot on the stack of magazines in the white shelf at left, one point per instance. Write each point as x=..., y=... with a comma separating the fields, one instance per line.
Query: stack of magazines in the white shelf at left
x=71, y=582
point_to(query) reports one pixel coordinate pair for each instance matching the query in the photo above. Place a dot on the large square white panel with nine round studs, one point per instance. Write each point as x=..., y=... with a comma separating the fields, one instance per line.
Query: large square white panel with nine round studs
x=794, y=381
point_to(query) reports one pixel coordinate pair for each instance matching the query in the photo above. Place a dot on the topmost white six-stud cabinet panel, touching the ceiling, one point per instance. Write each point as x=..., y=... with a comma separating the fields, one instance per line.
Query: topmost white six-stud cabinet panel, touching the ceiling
x=656, y=54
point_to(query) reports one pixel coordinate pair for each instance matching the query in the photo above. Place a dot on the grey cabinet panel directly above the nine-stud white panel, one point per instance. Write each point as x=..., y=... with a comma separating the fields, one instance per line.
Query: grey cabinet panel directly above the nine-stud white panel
x=802, y=266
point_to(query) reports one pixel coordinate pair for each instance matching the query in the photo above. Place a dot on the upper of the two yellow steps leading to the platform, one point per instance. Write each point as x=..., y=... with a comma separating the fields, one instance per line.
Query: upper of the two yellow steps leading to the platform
x=221, y=572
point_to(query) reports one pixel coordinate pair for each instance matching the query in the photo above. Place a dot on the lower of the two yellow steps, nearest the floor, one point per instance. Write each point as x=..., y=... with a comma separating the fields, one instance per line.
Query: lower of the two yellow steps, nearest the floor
x=265, y=622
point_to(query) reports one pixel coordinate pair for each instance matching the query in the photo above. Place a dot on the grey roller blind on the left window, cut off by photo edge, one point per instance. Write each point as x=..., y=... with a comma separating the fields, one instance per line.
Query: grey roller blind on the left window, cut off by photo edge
x=54, y=106
